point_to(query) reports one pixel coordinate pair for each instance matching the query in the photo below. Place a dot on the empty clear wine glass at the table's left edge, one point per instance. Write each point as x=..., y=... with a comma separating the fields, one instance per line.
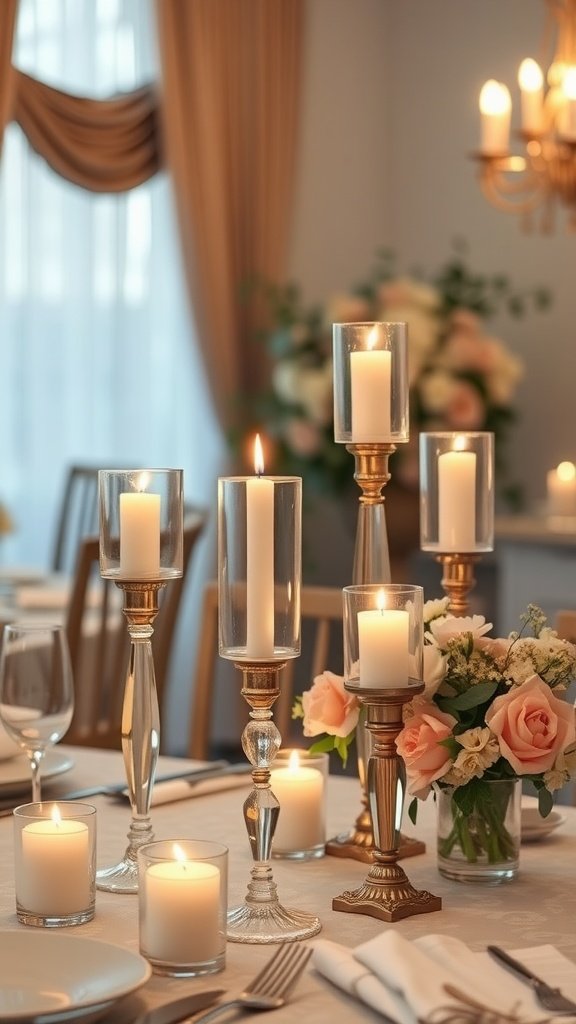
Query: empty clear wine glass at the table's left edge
x=36, y=690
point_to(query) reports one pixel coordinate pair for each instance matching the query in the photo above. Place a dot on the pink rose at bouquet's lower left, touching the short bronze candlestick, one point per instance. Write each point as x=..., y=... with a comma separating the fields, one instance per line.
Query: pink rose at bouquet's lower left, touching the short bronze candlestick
x=419, y=746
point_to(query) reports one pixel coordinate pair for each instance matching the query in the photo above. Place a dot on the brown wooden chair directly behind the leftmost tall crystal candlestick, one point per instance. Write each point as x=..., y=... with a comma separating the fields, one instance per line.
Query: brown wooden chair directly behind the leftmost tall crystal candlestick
x=100, y=645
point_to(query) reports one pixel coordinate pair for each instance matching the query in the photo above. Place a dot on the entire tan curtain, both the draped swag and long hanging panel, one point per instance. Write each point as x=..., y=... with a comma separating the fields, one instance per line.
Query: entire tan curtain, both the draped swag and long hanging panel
x=229, y=110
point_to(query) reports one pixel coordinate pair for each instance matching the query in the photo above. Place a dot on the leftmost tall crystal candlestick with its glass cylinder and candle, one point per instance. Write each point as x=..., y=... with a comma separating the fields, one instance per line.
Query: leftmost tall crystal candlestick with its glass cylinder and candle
x=142, y=539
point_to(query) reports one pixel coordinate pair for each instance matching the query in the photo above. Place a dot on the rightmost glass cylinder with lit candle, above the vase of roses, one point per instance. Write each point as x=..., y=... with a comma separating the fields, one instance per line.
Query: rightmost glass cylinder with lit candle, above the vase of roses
x=458, y=492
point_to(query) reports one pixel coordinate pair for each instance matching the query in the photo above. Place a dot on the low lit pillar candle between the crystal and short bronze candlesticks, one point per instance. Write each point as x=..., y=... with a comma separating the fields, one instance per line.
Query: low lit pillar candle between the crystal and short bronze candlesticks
x=300, y=791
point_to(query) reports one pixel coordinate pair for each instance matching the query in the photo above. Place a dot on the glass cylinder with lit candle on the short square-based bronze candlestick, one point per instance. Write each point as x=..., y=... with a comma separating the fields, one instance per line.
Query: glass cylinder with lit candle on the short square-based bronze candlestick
x=384, y=635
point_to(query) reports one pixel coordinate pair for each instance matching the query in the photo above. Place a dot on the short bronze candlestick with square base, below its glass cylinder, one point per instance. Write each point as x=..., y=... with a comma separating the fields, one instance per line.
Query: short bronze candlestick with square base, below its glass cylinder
x=387, y=893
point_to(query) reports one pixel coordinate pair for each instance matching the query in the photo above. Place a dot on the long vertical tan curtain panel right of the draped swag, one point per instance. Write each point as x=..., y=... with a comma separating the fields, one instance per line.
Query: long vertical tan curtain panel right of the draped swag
x=231, y=80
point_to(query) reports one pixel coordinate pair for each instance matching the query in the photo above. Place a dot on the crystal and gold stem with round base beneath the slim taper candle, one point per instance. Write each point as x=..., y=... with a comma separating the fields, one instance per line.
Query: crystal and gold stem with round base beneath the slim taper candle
x=262, y=918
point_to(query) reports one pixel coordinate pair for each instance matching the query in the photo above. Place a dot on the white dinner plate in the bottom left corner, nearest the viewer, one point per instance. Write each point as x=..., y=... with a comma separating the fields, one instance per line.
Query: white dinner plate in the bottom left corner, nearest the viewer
x=47, y=977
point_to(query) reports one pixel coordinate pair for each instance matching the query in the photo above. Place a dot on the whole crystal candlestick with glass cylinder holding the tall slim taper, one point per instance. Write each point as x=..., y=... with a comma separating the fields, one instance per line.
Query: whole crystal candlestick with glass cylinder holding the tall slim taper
x=260, y=566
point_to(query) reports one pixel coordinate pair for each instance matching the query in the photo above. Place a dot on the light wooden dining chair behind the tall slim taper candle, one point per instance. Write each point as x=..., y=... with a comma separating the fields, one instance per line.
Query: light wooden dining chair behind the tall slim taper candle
x=322, y=618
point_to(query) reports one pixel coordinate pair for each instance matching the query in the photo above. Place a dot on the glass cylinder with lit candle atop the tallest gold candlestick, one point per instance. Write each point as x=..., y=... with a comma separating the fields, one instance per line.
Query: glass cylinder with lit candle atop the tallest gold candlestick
x=371, y=383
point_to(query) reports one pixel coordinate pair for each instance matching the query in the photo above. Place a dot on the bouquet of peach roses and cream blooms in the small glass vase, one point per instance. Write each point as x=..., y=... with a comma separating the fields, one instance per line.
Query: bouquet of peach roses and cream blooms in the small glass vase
x=493, y=709
